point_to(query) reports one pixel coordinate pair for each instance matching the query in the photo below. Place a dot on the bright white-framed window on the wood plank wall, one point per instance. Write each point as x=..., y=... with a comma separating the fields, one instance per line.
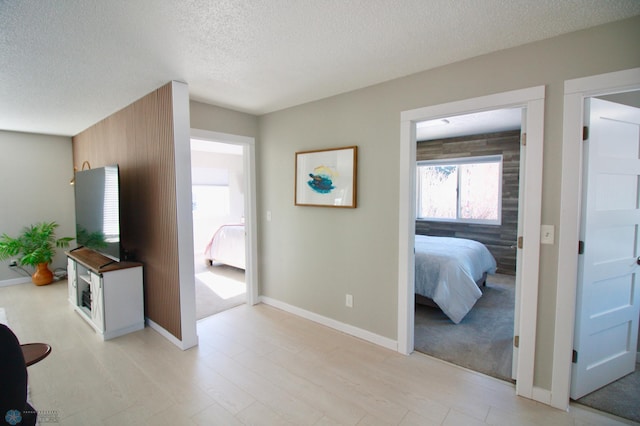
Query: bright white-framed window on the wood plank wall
x=460, y=190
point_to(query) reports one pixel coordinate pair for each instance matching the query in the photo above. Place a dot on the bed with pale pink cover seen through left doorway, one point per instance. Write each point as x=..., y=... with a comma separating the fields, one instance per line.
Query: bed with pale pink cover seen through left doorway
x=227, y=246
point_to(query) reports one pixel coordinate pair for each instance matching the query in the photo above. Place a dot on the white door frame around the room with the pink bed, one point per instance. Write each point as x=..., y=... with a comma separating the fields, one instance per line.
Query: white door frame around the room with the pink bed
x=249, y=170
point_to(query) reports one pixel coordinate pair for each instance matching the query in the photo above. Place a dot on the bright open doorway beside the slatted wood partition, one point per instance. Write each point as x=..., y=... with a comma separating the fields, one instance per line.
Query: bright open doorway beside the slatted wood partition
x=220, y=202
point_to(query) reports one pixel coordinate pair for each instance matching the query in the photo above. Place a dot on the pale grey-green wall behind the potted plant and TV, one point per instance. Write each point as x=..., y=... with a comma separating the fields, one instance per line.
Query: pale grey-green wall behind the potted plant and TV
x=35, y=171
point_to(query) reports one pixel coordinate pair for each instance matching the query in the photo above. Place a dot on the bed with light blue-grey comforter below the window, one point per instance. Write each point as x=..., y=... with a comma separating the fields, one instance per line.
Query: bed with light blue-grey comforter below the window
x=448, y=272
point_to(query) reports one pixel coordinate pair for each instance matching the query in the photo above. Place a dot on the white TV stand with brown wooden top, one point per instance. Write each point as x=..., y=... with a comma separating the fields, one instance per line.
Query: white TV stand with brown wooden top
x=107, y=294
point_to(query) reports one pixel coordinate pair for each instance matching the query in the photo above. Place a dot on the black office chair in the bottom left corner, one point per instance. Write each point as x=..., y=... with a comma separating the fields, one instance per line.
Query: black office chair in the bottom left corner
x=14, y=408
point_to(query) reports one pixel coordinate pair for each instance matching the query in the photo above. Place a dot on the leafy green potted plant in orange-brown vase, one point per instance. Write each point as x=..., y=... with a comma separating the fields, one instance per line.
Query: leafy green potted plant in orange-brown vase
x=36, y=246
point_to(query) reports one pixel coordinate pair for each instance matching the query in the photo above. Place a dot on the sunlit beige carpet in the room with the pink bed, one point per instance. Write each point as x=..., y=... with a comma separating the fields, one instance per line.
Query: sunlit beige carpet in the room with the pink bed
x=218, y=288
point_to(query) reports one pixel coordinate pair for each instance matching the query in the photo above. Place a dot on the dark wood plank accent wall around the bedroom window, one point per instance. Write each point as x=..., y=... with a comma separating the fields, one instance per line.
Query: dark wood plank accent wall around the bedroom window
x=498, y=239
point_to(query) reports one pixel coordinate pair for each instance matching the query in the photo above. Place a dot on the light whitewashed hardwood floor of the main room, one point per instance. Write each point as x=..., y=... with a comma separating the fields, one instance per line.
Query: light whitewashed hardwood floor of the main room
x=254, y=365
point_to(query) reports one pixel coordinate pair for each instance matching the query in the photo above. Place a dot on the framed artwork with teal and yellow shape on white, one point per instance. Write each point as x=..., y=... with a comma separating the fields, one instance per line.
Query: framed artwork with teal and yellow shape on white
x=326, y=177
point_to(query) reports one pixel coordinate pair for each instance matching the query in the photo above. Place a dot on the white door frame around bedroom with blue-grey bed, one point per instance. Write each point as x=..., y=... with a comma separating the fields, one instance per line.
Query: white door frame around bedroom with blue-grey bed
x=533, y=100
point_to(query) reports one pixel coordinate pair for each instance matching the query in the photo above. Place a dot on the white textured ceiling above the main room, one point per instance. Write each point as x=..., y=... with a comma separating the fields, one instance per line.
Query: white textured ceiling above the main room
x=67, y=64
